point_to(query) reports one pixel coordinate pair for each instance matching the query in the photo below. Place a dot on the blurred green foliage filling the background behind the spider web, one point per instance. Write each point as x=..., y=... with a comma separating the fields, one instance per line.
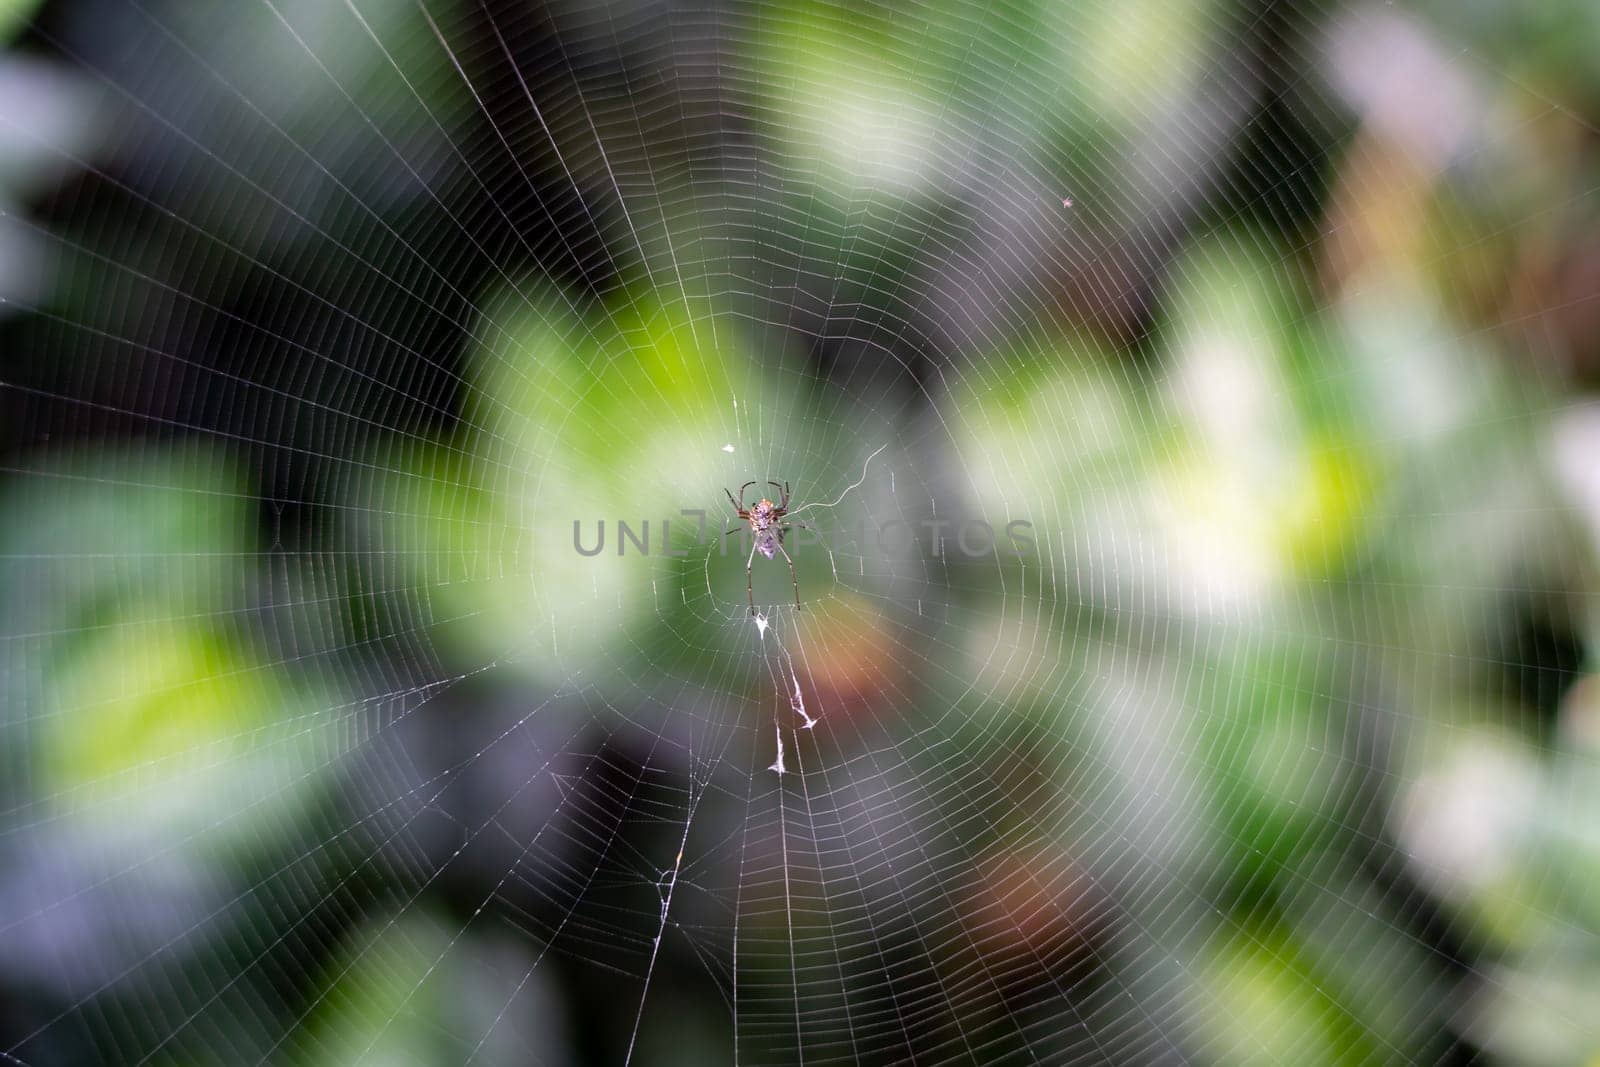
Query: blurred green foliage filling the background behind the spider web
x=1303, y=532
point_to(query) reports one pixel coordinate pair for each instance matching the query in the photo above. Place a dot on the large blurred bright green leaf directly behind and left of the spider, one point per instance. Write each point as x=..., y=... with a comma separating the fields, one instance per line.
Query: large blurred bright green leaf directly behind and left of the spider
x=638, y=399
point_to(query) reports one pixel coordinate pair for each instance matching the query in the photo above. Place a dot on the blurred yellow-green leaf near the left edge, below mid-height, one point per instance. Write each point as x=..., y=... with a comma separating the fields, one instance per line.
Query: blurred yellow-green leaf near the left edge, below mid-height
x=151, y=719
